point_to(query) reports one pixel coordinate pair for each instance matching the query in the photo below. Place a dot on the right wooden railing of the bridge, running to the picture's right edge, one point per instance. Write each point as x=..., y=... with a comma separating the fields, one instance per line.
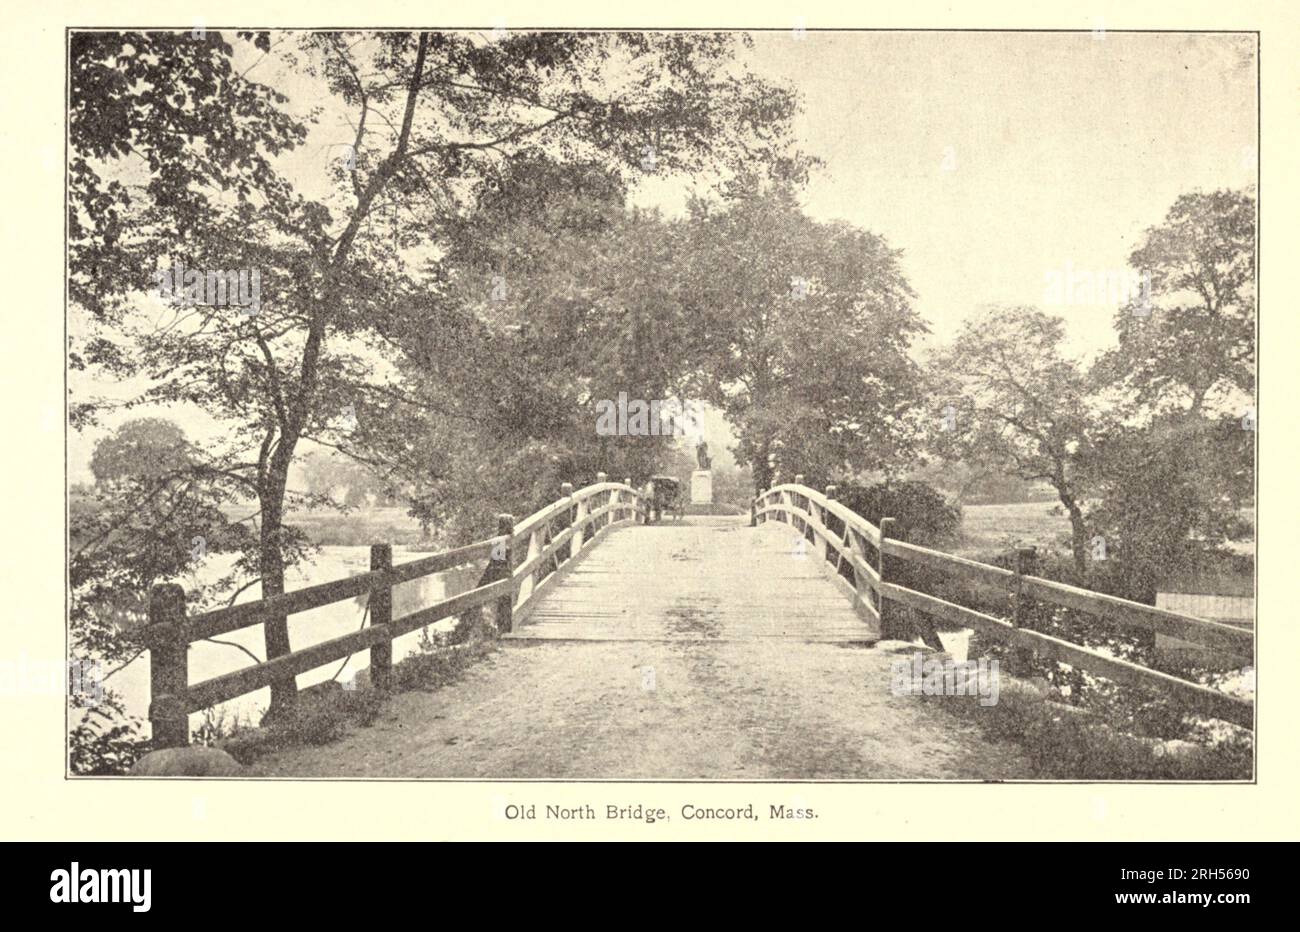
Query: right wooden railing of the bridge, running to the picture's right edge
x=856, y=560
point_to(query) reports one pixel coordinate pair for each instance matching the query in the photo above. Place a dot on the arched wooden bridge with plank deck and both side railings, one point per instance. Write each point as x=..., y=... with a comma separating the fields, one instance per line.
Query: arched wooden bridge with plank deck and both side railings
x=588, y=569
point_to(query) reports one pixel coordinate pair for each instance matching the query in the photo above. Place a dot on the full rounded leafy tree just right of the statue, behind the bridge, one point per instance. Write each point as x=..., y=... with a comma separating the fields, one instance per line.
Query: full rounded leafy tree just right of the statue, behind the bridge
x=808, y=328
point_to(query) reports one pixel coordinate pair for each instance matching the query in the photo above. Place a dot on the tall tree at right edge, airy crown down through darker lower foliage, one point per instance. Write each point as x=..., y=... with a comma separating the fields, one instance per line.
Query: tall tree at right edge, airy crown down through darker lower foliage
x=1172, y=475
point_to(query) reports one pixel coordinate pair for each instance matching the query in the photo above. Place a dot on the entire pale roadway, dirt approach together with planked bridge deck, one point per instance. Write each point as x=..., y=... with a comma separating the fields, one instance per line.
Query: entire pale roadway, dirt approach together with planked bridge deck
x=699, y=652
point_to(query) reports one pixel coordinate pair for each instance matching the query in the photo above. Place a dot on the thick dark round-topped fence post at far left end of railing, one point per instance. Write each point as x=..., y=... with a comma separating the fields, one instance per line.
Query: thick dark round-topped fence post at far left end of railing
x=170, y=669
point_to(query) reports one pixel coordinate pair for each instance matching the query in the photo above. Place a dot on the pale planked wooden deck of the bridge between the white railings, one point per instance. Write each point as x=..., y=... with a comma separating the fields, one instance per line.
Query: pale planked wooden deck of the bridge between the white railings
x=707, y=579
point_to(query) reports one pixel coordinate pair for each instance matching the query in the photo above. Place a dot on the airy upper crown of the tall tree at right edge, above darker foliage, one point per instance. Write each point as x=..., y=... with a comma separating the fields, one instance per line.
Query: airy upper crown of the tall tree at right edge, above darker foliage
x=1194, y=341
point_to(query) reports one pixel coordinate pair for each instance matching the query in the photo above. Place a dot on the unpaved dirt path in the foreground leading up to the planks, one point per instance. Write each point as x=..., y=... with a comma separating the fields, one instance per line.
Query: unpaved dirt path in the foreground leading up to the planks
x=665, y=710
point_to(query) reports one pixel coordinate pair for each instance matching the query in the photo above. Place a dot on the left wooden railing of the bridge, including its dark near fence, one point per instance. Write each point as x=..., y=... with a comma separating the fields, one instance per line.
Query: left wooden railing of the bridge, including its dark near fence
x=545, y=541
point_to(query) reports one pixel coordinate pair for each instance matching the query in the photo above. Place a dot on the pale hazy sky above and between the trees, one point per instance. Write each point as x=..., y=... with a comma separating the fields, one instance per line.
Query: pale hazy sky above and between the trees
x=994, y=161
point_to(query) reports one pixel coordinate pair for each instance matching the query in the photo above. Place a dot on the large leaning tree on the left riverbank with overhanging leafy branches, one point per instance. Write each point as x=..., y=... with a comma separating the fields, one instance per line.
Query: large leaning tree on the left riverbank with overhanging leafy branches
x=435, y=114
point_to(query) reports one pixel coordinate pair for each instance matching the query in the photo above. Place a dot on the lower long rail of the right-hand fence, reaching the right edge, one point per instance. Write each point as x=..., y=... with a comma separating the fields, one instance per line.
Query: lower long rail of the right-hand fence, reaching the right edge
x=1211, y=701
